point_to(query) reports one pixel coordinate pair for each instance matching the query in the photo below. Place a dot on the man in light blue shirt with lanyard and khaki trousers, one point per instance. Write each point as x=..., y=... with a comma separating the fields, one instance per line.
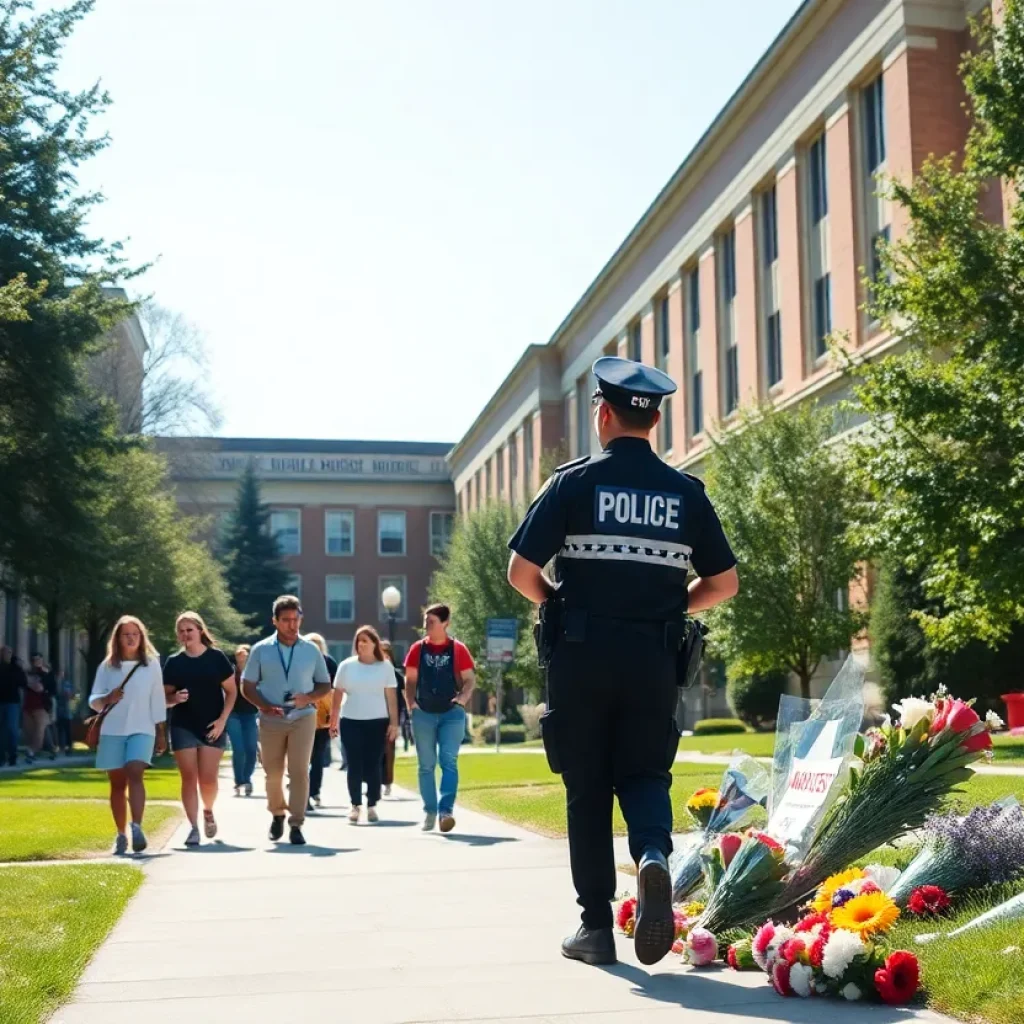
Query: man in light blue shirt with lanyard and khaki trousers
x=284, y=678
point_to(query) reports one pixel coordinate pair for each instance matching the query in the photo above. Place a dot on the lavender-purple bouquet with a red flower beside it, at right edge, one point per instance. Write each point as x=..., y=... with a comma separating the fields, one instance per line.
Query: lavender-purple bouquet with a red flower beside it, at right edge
x=963, y=851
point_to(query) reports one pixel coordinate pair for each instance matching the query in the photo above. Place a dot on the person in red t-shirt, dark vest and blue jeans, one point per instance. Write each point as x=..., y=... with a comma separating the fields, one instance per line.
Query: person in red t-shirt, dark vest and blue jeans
x=440, y=681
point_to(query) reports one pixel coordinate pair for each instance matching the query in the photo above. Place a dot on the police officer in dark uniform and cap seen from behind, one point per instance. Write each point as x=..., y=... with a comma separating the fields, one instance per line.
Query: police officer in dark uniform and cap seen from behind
x=625, y=531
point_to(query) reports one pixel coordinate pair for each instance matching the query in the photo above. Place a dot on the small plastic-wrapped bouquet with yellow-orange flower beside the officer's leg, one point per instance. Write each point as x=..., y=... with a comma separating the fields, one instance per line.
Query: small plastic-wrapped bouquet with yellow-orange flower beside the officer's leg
x=745, y=786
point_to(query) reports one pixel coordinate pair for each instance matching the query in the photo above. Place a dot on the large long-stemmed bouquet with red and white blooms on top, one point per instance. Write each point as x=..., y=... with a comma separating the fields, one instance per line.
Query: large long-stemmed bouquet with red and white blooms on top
x=907, y=769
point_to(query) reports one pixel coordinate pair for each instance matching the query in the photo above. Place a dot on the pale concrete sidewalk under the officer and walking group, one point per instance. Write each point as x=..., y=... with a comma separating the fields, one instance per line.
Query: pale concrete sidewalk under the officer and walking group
x=385, y=924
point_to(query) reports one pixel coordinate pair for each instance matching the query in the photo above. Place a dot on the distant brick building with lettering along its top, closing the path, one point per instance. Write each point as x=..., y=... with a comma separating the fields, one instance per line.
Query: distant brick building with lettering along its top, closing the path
x=352, y=518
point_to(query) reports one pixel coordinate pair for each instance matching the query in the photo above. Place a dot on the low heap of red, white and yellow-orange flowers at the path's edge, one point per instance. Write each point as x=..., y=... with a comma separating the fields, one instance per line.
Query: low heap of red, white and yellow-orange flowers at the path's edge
x=839, y=949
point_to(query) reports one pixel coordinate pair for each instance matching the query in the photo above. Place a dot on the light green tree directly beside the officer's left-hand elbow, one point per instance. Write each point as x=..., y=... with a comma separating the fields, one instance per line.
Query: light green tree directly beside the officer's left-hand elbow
x=473, y=582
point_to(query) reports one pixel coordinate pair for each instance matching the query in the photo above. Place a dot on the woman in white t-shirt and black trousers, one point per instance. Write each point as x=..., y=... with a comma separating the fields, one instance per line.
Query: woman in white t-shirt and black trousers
x=366, y=700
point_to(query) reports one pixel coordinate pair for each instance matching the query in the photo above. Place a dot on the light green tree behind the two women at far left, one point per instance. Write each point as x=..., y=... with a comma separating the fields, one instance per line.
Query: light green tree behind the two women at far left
x=150, y=563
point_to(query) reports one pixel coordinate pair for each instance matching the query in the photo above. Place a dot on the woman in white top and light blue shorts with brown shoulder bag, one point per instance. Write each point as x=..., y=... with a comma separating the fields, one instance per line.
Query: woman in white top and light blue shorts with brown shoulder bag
x=131, y=685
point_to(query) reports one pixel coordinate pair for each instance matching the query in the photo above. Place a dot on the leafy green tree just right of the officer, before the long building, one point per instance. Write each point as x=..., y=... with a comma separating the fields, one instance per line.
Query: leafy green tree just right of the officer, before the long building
x=785, y=498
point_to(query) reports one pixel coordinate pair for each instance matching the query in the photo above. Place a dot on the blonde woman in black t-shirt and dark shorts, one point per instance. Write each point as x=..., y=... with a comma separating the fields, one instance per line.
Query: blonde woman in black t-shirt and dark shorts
x=199, y=681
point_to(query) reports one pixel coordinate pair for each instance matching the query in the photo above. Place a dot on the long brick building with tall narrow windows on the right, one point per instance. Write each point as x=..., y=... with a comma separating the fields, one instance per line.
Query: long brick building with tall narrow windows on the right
x=754, y=251
